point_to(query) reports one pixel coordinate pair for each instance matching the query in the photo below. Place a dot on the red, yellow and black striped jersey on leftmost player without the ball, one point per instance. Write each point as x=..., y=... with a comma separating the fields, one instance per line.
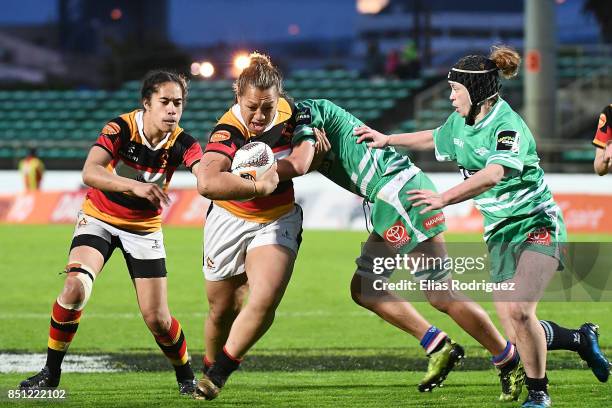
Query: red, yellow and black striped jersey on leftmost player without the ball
x=133, y=157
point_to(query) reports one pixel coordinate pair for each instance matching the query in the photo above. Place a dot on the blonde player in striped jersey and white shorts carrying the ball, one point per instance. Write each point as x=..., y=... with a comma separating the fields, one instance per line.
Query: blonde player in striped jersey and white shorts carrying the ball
x=256, y=239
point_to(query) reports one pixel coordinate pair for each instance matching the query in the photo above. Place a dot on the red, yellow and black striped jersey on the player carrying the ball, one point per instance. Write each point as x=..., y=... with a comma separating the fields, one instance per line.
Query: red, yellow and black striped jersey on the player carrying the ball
x=231, y=133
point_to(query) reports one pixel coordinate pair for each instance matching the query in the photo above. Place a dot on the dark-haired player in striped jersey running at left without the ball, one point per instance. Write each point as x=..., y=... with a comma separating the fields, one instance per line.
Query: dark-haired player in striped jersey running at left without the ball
x=128, y=171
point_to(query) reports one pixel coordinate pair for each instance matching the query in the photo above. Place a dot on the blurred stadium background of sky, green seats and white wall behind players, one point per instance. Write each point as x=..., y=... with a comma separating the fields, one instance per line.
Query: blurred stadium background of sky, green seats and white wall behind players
x=68, y=66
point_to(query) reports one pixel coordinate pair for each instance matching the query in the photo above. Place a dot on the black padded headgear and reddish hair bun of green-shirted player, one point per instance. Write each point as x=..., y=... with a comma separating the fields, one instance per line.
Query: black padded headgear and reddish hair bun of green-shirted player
x=480, y=75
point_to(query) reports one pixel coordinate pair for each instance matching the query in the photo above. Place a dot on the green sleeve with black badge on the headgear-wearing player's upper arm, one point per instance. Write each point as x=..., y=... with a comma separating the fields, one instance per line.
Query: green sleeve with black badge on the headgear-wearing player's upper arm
x=509, y=148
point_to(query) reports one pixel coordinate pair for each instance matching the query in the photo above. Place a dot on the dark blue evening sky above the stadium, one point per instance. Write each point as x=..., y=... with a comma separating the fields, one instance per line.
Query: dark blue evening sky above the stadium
x=204, y=22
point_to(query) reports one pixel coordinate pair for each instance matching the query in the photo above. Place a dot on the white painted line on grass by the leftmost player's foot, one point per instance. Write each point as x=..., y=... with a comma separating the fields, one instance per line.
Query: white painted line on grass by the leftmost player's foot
x=26, y=363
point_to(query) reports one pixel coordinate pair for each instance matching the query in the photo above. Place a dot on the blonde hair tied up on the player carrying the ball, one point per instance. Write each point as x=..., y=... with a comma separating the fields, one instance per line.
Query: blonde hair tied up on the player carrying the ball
x=260, y=73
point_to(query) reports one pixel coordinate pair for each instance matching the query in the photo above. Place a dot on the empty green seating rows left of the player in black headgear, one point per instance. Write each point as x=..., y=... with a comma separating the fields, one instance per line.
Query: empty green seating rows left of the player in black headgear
x=63, y=123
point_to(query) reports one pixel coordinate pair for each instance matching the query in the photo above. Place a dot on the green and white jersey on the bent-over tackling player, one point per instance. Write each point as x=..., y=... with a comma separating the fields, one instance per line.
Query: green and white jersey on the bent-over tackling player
x=352, y=166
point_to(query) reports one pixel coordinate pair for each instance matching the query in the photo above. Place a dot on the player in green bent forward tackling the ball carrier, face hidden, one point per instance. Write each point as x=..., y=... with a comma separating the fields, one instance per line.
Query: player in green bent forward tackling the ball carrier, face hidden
x=382, y=177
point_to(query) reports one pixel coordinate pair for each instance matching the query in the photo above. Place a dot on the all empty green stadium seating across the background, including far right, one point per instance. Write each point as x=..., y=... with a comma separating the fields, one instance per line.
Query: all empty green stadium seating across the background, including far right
x=62, y=123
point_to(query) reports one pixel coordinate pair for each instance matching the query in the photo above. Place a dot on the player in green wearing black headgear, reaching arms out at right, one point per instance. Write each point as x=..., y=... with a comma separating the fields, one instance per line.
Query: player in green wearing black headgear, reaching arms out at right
x=524, y=227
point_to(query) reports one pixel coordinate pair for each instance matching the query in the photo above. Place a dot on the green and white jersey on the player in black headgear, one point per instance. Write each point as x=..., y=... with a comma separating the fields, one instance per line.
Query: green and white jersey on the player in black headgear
x=503, y=138
